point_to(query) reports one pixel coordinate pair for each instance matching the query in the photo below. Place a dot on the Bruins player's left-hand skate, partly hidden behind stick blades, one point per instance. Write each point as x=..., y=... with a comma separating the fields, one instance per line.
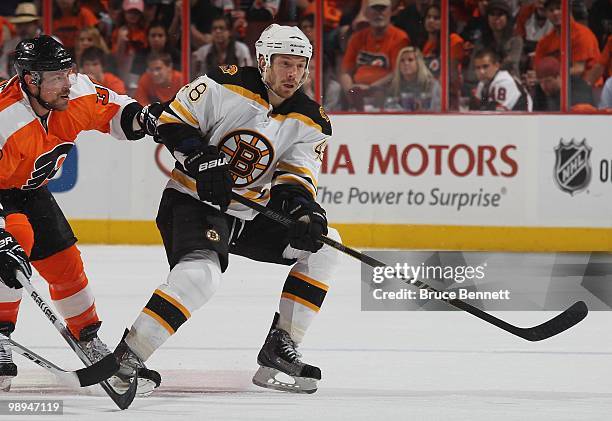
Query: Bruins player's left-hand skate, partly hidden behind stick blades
x=129, y=364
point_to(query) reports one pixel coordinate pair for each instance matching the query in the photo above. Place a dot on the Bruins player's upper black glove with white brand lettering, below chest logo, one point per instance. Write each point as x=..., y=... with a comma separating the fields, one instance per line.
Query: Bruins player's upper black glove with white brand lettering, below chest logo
x=210, y=169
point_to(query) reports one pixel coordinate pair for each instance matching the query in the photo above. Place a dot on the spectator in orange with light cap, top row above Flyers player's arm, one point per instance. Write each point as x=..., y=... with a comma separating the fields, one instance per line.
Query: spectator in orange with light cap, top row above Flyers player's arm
x=130, y=36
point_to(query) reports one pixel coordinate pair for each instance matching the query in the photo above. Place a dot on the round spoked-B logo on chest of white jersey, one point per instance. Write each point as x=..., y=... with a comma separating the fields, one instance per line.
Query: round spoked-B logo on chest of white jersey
x=251, y=154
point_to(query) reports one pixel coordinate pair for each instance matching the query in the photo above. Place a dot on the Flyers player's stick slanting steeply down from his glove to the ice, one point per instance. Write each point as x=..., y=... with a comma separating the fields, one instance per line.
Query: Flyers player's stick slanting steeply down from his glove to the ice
x=124, y=400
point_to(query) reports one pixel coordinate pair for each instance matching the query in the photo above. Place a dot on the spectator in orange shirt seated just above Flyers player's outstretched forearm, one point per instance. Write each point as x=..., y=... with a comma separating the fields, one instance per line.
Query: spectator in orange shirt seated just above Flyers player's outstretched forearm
x=161, y=82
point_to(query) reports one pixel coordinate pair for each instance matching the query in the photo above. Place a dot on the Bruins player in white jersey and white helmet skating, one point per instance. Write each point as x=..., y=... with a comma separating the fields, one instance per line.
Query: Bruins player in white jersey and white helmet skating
x=254, y=132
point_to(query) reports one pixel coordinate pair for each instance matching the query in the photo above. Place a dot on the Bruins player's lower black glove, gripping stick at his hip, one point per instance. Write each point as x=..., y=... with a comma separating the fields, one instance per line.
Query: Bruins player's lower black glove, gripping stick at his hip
x=310, y=219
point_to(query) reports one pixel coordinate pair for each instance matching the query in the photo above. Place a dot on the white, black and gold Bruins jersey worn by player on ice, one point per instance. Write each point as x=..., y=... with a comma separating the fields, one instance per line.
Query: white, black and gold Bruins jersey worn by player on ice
x=264, y=146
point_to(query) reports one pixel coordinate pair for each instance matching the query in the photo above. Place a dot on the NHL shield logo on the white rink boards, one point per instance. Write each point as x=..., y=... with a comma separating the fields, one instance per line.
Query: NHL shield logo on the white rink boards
x=572, y=166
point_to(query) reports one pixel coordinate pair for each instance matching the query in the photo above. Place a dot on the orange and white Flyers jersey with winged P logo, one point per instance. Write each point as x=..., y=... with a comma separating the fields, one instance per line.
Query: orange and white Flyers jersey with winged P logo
x=30, y=154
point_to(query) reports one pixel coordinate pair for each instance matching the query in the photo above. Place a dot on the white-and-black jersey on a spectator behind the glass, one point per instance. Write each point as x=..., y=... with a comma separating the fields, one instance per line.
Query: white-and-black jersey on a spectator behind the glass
x=503, y=93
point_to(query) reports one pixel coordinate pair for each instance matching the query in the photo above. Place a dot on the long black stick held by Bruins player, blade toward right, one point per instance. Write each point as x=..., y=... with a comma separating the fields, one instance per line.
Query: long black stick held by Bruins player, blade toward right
x=563, y=321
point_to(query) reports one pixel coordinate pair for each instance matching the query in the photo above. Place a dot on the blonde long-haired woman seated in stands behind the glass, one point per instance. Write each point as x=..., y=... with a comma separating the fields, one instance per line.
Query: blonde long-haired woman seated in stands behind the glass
x=414, y=87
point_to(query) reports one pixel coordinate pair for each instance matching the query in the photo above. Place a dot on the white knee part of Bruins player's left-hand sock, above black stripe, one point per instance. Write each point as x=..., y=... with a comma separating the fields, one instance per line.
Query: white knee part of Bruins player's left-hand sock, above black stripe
x=195, y=278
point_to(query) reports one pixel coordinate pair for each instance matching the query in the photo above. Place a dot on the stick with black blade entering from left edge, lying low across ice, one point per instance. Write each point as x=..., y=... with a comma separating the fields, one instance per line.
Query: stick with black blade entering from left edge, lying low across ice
x=87, y=376
